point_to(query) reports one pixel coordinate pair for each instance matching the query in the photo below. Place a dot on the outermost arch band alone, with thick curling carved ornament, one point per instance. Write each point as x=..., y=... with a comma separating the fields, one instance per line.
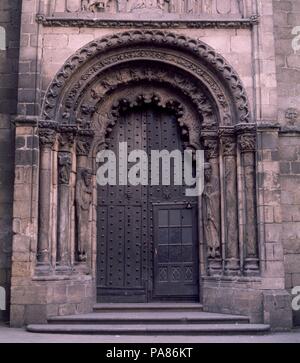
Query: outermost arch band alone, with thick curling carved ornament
x=122, y=41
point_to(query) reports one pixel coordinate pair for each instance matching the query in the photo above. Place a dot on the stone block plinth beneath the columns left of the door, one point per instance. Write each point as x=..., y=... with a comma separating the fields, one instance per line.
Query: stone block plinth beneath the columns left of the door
x=49, y=296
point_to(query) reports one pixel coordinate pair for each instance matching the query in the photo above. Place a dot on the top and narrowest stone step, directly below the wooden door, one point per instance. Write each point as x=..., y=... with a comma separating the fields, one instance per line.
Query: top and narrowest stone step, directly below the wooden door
x=148, y=307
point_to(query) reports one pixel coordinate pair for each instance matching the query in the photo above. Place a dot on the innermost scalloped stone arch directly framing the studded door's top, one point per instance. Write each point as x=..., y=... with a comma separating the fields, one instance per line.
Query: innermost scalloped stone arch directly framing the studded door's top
x=104, y=114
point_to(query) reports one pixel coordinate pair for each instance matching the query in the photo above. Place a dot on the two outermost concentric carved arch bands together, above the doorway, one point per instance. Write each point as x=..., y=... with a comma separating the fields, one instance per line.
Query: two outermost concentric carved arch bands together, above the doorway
x=191, y=55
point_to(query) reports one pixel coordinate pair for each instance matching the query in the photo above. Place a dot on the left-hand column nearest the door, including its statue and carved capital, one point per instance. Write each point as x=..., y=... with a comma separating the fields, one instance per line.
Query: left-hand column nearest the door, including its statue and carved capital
x=84, y=195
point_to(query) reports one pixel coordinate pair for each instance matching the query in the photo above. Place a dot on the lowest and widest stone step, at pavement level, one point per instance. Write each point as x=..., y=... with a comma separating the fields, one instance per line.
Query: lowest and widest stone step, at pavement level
x=147, y=329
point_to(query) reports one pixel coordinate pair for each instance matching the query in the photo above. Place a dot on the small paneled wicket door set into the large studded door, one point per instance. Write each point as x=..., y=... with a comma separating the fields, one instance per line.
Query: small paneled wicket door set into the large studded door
x=176, y=253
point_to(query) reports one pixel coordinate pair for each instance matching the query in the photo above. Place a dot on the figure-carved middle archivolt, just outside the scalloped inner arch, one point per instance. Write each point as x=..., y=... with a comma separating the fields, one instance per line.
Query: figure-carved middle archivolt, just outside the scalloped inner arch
x=91, y=99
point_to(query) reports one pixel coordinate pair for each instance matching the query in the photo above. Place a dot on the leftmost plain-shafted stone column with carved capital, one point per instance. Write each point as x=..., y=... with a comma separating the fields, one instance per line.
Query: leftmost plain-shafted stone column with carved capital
x=47, y=137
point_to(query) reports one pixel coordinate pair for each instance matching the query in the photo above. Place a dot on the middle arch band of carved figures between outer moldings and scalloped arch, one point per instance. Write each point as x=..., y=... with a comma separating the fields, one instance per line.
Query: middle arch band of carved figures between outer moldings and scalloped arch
x=90, y=98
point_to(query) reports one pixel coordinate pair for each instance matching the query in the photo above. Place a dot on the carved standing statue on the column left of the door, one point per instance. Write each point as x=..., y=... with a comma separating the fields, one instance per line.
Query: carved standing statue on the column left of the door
x=84, y=196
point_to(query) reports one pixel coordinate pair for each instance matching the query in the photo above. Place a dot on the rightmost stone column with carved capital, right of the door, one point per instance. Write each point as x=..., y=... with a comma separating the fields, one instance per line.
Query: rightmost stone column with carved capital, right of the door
x=247, y=144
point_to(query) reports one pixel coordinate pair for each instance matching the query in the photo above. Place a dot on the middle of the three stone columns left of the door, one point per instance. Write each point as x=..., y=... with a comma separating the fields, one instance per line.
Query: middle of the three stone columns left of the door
x=66, y=141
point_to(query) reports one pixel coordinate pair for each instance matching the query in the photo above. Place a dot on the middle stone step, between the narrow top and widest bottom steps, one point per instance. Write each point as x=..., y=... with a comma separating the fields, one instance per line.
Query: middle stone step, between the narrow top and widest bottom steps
x=150, y=317
